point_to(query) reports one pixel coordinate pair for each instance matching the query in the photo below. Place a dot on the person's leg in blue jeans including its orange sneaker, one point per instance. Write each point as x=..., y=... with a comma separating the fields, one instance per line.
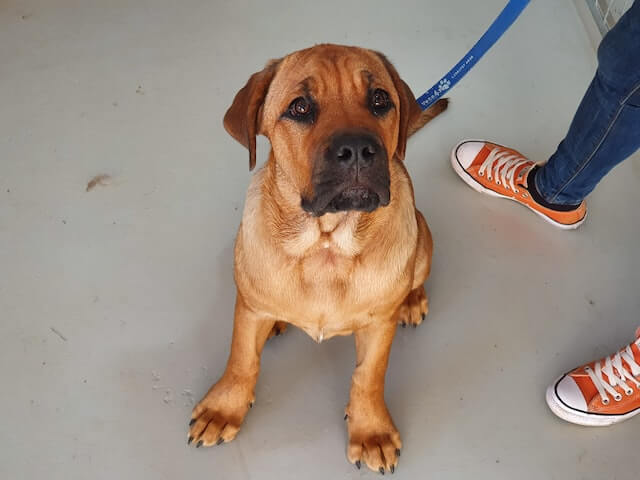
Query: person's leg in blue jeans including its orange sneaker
x=604, y=131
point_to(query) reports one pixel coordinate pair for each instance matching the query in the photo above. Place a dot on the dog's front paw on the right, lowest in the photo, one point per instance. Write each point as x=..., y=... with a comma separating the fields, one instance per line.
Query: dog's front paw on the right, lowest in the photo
x=377, y=445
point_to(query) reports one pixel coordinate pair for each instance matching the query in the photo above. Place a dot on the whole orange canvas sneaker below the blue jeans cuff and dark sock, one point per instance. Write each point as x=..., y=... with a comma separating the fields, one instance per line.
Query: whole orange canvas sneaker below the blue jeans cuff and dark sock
x=503, y=172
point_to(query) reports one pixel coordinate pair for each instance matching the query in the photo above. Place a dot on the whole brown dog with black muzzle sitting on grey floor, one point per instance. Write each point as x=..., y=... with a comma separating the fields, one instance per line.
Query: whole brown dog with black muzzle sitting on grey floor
x=330, y=239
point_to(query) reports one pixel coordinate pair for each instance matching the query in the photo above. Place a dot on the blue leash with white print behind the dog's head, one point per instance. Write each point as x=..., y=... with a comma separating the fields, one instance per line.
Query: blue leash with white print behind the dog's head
x=500, y=25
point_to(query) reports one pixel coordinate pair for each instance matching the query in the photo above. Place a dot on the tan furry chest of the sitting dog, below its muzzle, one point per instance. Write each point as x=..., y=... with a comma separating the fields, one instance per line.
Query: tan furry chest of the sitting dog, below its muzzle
x=325, y=276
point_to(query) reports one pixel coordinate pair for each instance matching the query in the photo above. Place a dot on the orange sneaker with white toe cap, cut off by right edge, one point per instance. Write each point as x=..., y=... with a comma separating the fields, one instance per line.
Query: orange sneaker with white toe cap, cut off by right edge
x=600, y=393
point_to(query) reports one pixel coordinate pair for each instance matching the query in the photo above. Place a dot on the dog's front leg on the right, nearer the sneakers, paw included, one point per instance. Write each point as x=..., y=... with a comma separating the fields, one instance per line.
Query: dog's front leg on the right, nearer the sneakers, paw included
x=372, y=436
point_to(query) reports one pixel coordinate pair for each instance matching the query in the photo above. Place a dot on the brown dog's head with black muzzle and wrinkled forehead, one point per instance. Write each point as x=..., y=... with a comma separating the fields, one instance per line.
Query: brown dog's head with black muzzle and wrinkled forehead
x=335, y=116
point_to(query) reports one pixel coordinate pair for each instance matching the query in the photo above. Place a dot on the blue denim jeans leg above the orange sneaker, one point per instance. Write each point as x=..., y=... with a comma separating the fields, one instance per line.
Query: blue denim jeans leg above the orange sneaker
x=606, y=126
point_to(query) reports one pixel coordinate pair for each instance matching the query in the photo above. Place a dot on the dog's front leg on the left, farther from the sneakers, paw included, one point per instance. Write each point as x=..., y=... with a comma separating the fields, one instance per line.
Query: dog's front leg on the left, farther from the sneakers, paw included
x=218, y=416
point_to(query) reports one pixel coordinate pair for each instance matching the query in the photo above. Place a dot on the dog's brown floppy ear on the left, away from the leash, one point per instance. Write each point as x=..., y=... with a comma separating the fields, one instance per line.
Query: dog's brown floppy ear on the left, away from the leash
x=242, y=120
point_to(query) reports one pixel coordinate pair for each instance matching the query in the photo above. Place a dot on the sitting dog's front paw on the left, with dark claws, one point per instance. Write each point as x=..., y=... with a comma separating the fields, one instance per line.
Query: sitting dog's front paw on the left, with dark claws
x=218, y=416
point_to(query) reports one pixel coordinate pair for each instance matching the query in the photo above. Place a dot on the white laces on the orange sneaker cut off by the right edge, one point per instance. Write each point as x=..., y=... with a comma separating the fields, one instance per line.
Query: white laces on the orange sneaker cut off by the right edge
x=617, y=374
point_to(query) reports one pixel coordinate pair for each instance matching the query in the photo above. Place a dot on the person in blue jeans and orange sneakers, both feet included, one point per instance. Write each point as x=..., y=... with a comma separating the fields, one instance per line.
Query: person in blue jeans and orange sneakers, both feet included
x=605, y=131
